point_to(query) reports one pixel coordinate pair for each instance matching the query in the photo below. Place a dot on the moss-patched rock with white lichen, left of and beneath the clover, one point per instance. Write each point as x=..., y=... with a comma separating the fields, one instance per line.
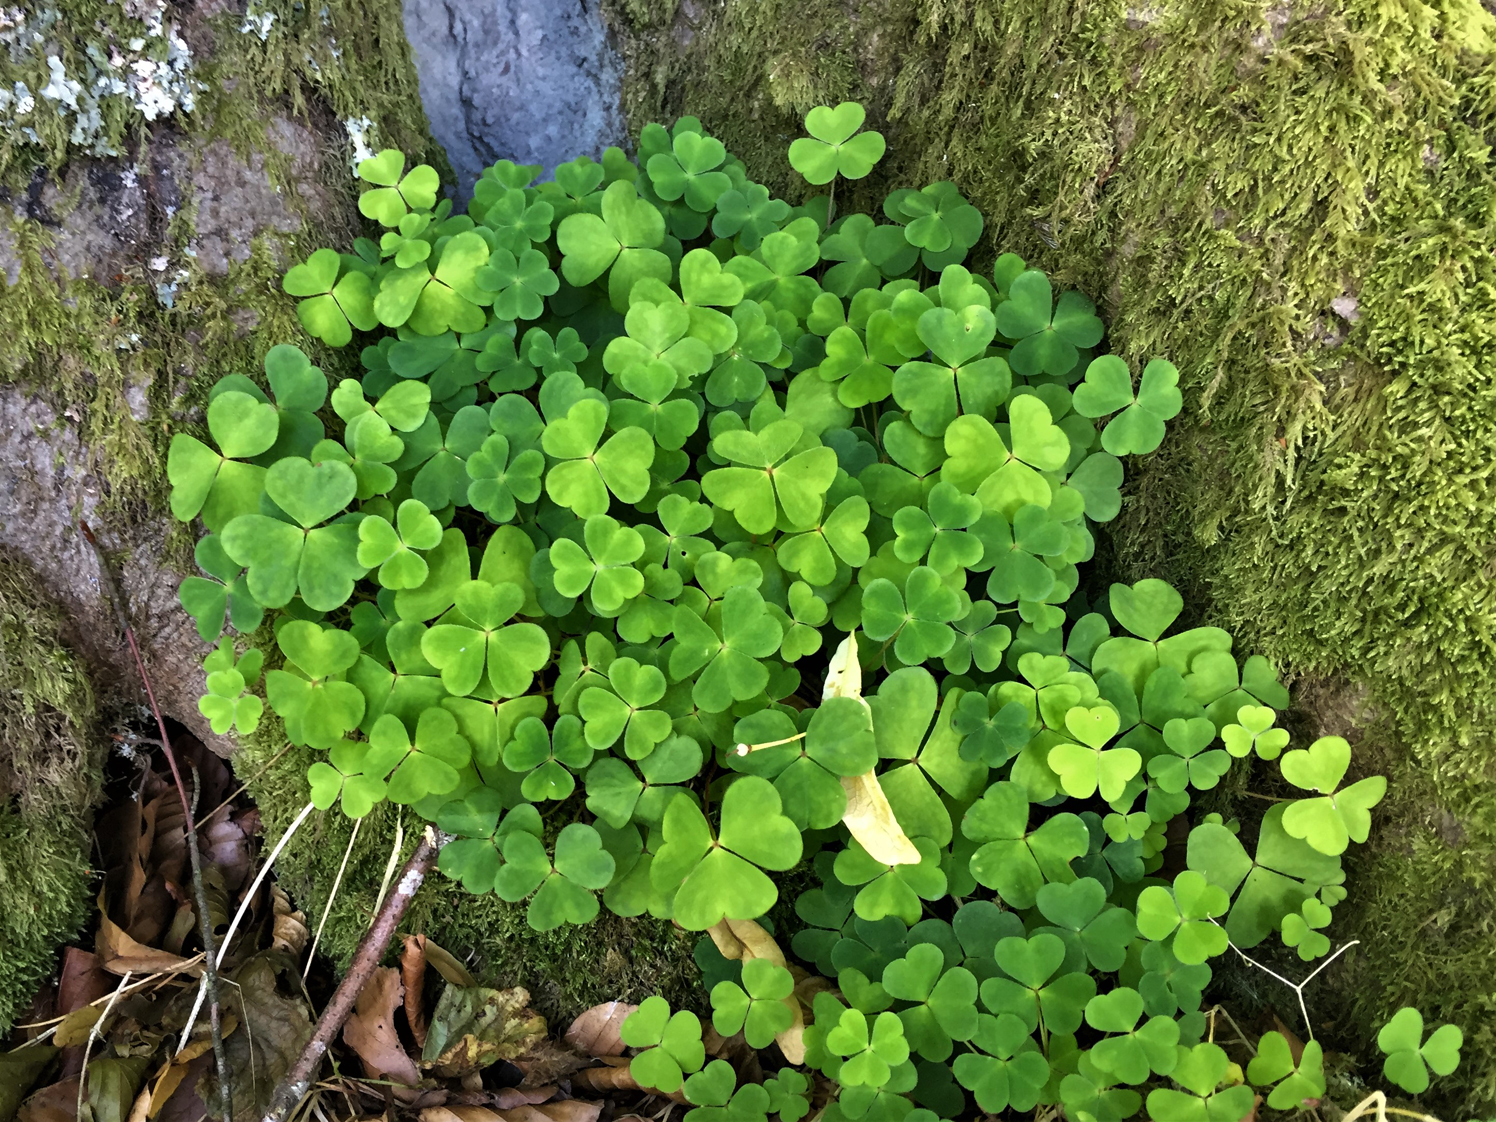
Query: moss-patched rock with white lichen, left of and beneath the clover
x=141, y=261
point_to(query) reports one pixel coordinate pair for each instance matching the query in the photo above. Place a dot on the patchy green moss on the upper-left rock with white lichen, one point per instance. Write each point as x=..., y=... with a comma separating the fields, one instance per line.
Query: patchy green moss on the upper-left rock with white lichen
x=88, y=345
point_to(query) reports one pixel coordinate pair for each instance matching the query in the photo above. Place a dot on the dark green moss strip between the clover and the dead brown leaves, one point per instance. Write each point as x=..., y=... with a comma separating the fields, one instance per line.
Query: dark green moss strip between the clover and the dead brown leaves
x=566, y=970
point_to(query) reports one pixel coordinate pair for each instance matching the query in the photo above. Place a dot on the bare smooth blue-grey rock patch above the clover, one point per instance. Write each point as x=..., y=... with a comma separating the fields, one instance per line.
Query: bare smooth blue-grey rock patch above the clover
x=532, y=82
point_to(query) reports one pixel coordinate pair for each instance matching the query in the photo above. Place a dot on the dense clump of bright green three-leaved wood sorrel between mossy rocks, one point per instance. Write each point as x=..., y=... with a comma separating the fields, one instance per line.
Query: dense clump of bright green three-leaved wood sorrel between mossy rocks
x=647, y=473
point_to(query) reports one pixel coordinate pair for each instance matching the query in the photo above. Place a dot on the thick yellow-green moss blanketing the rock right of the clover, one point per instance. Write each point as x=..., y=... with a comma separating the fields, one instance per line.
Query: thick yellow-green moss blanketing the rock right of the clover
x=1218, y=176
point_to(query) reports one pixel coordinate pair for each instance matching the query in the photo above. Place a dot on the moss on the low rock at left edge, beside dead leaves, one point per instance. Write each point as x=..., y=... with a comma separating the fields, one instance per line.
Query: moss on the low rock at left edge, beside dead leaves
x=50, y=776
